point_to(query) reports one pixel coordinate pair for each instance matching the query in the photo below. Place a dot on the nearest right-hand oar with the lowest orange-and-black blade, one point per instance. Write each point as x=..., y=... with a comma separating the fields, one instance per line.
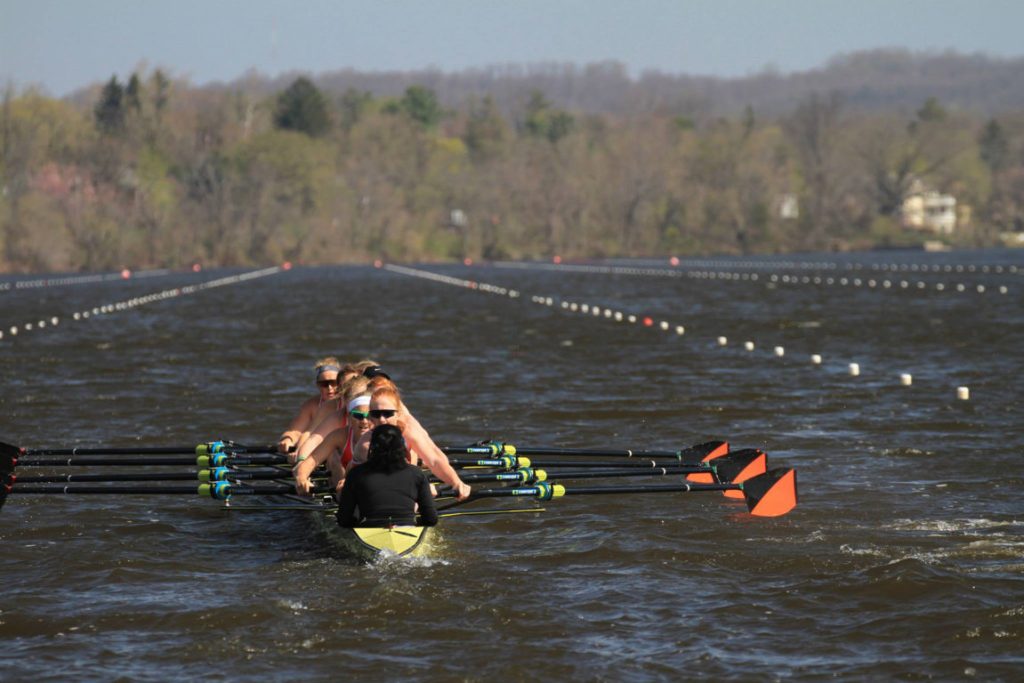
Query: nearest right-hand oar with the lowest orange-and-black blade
x=769, y=495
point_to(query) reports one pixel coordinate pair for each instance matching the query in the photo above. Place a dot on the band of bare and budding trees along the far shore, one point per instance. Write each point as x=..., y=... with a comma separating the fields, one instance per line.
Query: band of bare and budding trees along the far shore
x=154, y=173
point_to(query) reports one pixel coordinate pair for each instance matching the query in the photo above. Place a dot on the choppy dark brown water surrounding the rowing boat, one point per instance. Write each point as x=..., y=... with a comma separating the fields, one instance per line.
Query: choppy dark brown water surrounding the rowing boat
x=906, y=559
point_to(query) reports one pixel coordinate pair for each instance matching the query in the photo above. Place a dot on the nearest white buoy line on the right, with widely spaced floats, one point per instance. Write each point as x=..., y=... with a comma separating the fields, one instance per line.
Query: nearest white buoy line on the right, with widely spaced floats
x=610, y=314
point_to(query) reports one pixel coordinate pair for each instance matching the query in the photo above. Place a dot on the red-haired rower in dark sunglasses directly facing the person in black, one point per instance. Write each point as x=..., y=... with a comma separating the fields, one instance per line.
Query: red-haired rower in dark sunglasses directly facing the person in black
x=387, y=409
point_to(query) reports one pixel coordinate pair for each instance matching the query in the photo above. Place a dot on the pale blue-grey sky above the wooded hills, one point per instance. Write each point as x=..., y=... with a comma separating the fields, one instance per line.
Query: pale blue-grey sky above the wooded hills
x=63, y=46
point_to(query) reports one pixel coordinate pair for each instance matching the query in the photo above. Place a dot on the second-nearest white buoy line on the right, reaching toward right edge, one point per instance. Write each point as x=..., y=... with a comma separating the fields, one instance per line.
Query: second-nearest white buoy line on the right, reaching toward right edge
x=771, y=280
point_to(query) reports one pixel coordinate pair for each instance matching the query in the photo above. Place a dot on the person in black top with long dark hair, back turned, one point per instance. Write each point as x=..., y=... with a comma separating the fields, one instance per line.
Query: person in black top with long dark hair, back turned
x=387, y=490
